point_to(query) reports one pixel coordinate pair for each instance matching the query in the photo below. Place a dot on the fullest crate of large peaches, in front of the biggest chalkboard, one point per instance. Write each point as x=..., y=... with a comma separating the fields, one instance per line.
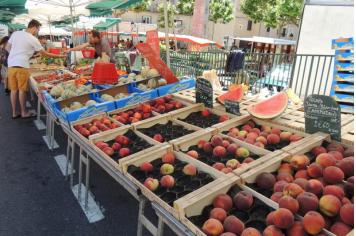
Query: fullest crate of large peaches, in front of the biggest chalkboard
x=313, y=182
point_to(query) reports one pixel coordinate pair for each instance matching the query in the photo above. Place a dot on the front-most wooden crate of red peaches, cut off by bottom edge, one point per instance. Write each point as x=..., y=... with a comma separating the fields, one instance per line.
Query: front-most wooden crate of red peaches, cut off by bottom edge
x=230, y=208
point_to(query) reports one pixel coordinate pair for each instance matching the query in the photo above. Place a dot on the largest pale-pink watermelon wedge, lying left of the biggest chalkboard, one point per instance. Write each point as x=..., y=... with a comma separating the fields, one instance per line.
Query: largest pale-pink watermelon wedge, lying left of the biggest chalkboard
x=270, y=108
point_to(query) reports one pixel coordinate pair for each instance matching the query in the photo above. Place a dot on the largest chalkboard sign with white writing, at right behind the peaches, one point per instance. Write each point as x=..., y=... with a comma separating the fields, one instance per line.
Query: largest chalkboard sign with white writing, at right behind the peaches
x=322, y=113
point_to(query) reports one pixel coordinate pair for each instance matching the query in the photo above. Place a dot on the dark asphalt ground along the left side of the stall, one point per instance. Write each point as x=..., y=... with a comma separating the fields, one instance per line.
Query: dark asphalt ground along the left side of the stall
x=36, y=200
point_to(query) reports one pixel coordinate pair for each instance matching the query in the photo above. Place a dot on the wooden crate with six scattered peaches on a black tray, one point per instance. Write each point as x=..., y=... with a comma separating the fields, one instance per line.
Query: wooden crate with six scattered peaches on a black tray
x=165, y=175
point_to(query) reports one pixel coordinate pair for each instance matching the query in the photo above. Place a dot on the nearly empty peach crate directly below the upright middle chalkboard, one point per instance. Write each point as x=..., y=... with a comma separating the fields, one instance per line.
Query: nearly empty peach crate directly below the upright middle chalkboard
x=202, y=117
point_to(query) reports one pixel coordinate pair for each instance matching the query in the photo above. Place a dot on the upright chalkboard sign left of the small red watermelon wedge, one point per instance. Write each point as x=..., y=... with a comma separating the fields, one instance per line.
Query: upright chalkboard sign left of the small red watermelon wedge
x=204, y=92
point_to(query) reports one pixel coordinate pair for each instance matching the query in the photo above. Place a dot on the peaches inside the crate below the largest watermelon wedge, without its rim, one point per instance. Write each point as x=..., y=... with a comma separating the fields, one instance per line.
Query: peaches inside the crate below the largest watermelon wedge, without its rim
x=267, y=137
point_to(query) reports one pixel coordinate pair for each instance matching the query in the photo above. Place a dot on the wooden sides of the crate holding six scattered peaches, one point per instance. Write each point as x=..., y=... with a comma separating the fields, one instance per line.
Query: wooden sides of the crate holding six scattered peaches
x=156, y=154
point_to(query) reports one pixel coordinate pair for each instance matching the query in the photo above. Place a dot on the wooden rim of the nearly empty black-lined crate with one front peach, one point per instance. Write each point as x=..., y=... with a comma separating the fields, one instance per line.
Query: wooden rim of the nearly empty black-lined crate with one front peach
x=164, y=119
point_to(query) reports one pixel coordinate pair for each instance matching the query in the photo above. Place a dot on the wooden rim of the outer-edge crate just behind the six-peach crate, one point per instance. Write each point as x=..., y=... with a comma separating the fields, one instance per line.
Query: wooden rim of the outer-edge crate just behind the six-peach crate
x=111, y=135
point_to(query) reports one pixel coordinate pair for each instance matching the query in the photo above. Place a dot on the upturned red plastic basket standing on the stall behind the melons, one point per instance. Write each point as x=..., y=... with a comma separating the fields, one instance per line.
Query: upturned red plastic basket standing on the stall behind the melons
x=104, y=73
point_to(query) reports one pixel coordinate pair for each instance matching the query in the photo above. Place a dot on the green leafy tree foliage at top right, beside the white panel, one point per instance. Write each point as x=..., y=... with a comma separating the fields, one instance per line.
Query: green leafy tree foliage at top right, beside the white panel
x=274, y=13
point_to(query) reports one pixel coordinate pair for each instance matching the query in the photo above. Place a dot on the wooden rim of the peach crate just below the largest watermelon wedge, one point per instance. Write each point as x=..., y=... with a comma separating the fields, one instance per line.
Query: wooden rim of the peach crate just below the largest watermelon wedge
x=227, y=125
